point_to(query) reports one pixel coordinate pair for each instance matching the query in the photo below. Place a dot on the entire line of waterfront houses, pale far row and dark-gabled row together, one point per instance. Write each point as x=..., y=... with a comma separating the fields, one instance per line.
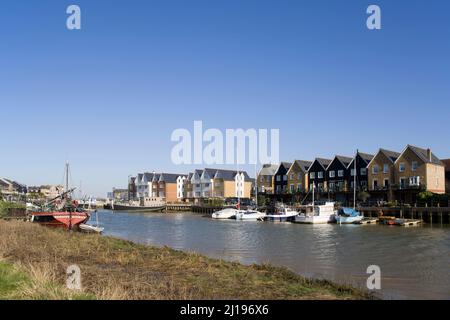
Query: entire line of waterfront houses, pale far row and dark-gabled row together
x=387, y=175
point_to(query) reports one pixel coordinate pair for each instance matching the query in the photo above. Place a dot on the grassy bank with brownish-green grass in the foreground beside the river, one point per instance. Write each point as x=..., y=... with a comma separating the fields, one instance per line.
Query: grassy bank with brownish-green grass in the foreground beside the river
x=34, y=261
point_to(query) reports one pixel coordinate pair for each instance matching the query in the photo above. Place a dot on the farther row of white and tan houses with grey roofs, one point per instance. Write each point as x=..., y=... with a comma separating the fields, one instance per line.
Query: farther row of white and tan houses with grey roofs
x=201, y=183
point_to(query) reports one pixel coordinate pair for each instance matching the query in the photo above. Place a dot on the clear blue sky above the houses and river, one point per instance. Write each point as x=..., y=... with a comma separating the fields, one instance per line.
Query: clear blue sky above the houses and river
x=108, y=97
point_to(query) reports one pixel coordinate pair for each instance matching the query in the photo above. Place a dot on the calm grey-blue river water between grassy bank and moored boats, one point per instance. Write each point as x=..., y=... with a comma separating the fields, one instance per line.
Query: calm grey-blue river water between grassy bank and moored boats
x=414, y=261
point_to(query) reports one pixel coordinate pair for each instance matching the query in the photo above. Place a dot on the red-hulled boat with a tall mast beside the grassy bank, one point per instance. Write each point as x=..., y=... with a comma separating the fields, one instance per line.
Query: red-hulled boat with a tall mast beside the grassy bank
x=61, y=211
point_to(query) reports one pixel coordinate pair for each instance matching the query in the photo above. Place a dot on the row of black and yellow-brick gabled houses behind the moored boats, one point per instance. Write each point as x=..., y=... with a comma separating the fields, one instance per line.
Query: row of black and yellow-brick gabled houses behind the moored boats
x=387, y=175
